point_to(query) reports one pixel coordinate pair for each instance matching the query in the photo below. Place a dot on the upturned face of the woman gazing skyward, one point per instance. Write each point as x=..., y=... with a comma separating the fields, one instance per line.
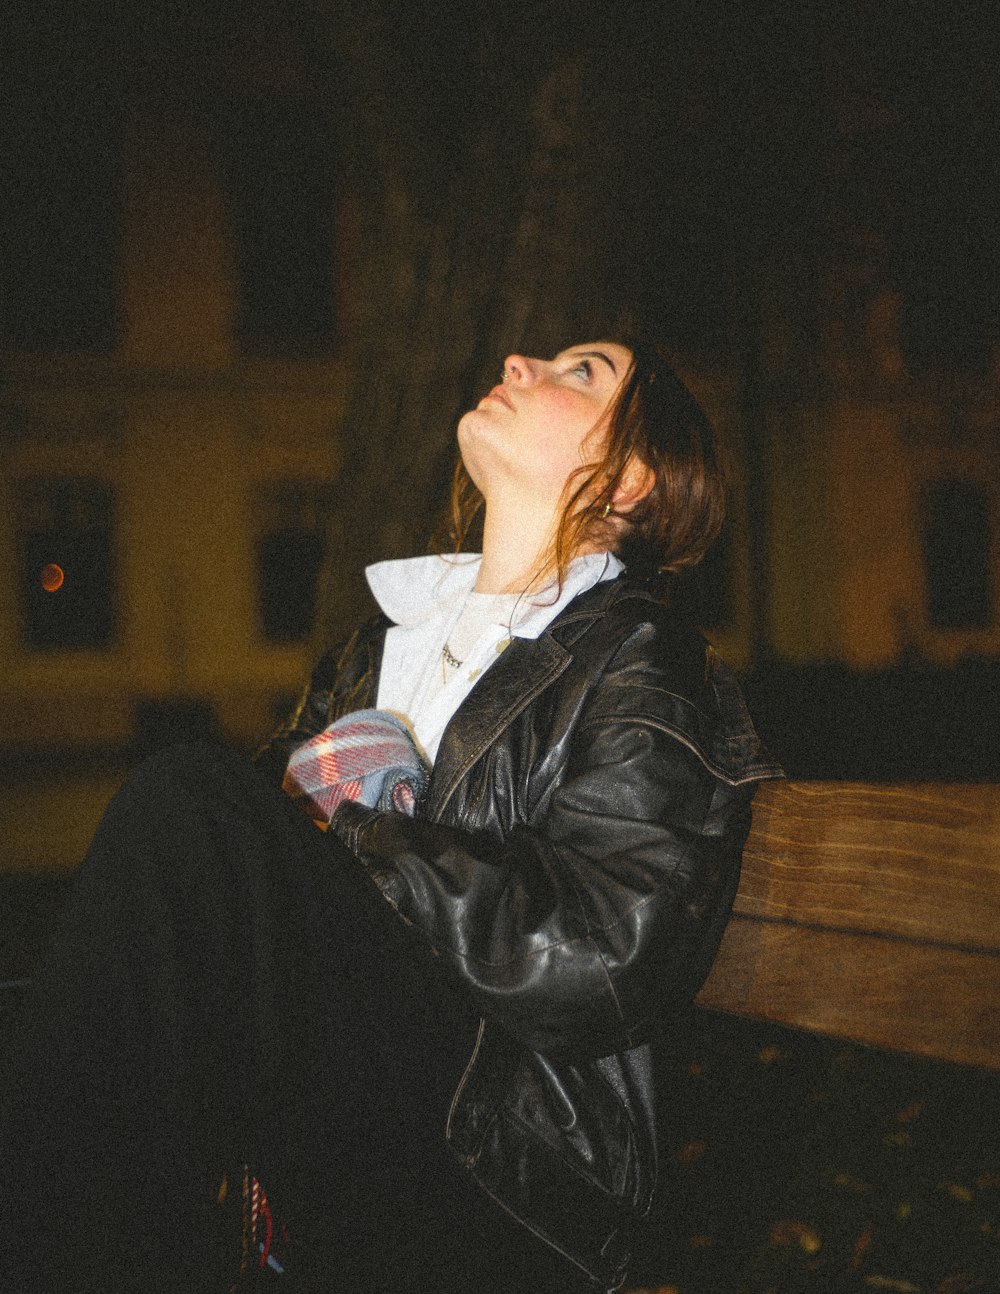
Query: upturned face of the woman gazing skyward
x=547, y=420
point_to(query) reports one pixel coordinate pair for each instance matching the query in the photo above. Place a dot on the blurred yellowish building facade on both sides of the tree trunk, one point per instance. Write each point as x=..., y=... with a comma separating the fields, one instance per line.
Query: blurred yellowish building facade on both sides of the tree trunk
x=170, y=450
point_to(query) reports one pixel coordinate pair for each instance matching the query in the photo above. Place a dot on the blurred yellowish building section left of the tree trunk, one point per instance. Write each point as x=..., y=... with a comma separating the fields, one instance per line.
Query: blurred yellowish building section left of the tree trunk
x=170, y=434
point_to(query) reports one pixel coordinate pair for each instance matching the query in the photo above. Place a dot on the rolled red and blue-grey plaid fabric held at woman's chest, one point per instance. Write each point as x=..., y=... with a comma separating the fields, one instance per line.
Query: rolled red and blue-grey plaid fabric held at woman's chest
x=367, y=756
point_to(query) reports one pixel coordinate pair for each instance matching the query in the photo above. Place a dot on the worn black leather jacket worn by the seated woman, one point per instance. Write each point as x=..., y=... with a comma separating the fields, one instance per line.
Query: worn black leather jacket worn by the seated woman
x=574, y=865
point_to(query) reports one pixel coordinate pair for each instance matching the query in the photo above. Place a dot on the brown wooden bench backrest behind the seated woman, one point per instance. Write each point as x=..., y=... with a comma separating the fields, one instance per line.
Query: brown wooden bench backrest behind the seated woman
x=871, y=913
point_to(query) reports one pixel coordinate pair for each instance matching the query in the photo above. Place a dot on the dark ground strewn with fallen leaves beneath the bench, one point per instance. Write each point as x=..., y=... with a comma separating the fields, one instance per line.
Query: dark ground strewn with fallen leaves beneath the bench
x=792, y=1163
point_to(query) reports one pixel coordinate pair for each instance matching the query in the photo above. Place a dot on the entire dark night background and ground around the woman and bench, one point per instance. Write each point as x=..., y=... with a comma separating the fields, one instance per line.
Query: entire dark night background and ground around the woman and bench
x=799, y=199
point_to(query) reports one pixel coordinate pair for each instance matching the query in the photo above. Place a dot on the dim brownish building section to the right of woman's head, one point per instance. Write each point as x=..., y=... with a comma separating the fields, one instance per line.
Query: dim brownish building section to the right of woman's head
x=864, y=415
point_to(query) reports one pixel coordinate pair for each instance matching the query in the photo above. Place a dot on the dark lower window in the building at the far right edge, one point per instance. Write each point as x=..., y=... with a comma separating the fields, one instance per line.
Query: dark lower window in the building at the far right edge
x=958, y=556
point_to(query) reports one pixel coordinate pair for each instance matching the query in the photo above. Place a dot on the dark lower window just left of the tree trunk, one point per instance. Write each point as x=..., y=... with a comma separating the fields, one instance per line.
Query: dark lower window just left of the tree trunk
x=292, y=545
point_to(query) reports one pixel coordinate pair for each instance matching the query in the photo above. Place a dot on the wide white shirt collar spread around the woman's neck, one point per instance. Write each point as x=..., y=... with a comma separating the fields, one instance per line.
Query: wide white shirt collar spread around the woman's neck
x=412, y=591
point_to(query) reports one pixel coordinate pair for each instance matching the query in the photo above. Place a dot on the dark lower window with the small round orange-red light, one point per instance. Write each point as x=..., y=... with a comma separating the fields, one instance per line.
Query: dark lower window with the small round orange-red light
x=67, y=564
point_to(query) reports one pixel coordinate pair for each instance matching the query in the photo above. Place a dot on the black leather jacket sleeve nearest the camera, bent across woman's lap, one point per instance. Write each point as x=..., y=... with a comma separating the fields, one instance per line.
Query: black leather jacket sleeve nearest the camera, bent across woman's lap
x=603, y=914
